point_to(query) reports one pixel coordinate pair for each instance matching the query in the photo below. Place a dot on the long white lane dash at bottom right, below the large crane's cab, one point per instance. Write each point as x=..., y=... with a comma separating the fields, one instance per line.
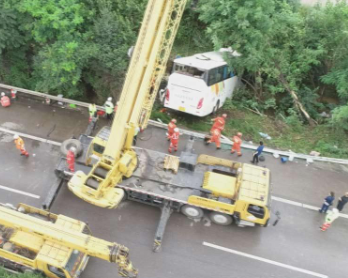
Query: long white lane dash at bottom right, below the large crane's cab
x=265, y=260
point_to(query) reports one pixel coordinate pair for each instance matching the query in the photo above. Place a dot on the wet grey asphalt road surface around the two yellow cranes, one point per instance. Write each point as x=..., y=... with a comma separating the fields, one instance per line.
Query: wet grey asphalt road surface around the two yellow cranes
x=295, y=248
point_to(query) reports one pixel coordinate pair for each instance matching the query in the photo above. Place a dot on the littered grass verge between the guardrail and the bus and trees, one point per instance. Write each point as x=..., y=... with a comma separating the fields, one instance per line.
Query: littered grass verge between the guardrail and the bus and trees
x=286, y=134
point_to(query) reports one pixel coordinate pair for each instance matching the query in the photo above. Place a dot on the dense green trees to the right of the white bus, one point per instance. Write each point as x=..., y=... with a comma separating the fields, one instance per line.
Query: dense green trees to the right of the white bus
x=293, y=57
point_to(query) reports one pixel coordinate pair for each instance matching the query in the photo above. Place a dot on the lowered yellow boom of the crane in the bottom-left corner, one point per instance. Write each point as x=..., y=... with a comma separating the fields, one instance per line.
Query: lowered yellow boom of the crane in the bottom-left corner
x=62, y=235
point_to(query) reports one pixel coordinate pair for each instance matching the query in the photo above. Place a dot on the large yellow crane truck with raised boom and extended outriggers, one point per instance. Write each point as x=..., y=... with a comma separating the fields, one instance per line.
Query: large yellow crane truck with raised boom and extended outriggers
x=229, y=191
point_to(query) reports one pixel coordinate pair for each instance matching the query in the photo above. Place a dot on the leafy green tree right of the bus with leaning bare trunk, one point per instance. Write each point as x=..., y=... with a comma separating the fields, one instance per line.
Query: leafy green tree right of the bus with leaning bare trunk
x=270, y=36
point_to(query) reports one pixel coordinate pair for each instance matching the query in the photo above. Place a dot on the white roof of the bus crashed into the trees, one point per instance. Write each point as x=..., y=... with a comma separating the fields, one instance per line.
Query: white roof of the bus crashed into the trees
x=205, y=61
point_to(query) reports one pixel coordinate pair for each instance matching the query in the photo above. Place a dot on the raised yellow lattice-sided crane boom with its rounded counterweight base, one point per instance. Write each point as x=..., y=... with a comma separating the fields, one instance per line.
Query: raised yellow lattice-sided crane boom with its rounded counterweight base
x=145, y=72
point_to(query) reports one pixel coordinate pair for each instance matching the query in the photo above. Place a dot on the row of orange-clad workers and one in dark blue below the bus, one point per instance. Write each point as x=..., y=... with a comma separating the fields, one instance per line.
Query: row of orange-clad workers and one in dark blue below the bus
x=173, y=135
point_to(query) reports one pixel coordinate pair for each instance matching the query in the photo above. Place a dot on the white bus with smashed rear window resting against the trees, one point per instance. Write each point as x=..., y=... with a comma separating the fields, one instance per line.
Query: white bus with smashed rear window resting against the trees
x=199, y=84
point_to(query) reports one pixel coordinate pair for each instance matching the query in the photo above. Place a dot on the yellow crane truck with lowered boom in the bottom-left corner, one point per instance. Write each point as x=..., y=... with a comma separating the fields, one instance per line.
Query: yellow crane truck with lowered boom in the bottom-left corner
x=34, y=240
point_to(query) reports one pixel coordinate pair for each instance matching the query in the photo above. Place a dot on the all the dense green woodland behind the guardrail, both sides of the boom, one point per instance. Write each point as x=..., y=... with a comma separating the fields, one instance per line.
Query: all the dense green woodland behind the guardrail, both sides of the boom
x=293, y=57
